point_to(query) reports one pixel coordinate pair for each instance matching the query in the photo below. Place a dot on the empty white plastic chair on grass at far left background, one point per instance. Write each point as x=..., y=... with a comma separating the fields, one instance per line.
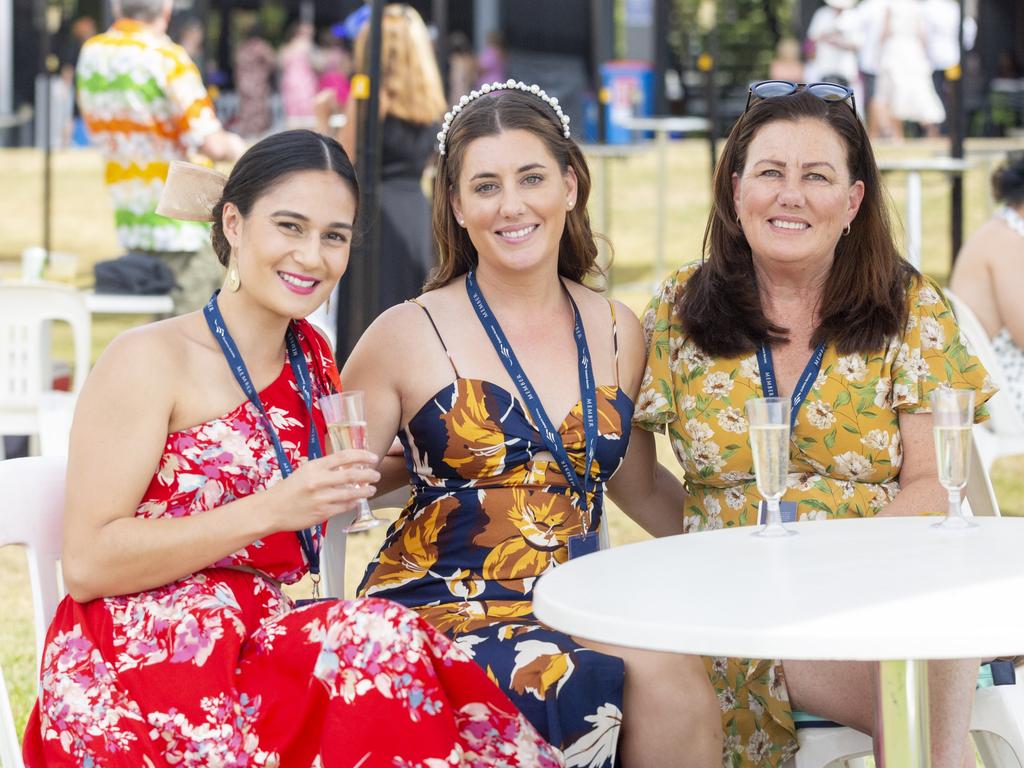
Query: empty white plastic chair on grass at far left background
x=26, y=311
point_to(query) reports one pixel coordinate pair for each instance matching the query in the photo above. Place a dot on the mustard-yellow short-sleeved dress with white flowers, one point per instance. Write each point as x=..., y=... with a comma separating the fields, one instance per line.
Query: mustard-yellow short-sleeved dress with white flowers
x=844, y=462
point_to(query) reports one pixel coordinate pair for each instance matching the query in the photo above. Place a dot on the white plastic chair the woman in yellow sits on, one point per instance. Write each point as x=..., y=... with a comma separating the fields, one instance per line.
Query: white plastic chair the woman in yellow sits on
x=998, y=719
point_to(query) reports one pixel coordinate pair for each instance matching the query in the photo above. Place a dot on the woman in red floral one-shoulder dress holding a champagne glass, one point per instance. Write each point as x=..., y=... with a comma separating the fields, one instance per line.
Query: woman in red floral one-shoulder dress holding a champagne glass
x=177, y=646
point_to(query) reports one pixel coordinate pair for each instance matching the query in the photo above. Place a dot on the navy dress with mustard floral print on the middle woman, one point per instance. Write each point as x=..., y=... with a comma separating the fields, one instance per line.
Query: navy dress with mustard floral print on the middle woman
x=491, y=513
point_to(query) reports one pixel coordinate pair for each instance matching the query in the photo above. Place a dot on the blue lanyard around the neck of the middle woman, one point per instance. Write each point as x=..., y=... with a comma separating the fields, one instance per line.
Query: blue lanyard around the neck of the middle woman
x=588, y=392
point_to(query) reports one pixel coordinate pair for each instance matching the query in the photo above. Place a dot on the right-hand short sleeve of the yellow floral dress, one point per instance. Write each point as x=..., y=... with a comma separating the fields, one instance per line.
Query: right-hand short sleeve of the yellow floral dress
x=934, y=354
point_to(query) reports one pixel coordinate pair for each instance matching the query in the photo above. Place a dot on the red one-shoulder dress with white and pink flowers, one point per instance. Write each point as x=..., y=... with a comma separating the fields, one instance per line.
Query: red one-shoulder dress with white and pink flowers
x=221, y=670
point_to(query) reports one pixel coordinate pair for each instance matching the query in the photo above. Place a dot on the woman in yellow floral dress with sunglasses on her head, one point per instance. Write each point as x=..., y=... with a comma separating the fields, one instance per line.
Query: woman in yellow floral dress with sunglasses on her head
x=800, y=255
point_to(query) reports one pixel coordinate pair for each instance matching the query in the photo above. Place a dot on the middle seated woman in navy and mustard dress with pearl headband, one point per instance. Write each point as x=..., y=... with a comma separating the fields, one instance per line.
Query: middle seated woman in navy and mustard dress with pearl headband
x=511, y=387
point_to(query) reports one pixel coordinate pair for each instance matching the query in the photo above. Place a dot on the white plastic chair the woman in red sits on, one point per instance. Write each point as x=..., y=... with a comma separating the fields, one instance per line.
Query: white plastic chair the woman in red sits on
x=31, y=516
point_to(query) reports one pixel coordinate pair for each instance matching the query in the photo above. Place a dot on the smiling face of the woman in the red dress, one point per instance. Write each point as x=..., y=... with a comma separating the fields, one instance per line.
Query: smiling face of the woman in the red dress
x=293, y=247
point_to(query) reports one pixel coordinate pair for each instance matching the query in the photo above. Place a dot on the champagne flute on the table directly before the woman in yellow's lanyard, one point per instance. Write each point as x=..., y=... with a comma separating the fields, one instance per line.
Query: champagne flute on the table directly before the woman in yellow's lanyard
x=770, y=420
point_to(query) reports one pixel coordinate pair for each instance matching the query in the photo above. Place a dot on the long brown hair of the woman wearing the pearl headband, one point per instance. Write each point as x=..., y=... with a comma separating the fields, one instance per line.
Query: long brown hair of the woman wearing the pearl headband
x=488, y=116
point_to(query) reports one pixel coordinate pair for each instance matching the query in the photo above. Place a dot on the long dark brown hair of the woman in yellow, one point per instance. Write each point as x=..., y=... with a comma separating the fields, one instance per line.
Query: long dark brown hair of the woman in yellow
x=863, y=304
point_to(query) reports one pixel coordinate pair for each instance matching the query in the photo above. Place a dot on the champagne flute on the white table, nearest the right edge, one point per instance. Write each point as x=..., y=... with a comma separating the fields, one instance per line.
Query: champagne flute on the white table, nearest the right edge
x=953, y=416
